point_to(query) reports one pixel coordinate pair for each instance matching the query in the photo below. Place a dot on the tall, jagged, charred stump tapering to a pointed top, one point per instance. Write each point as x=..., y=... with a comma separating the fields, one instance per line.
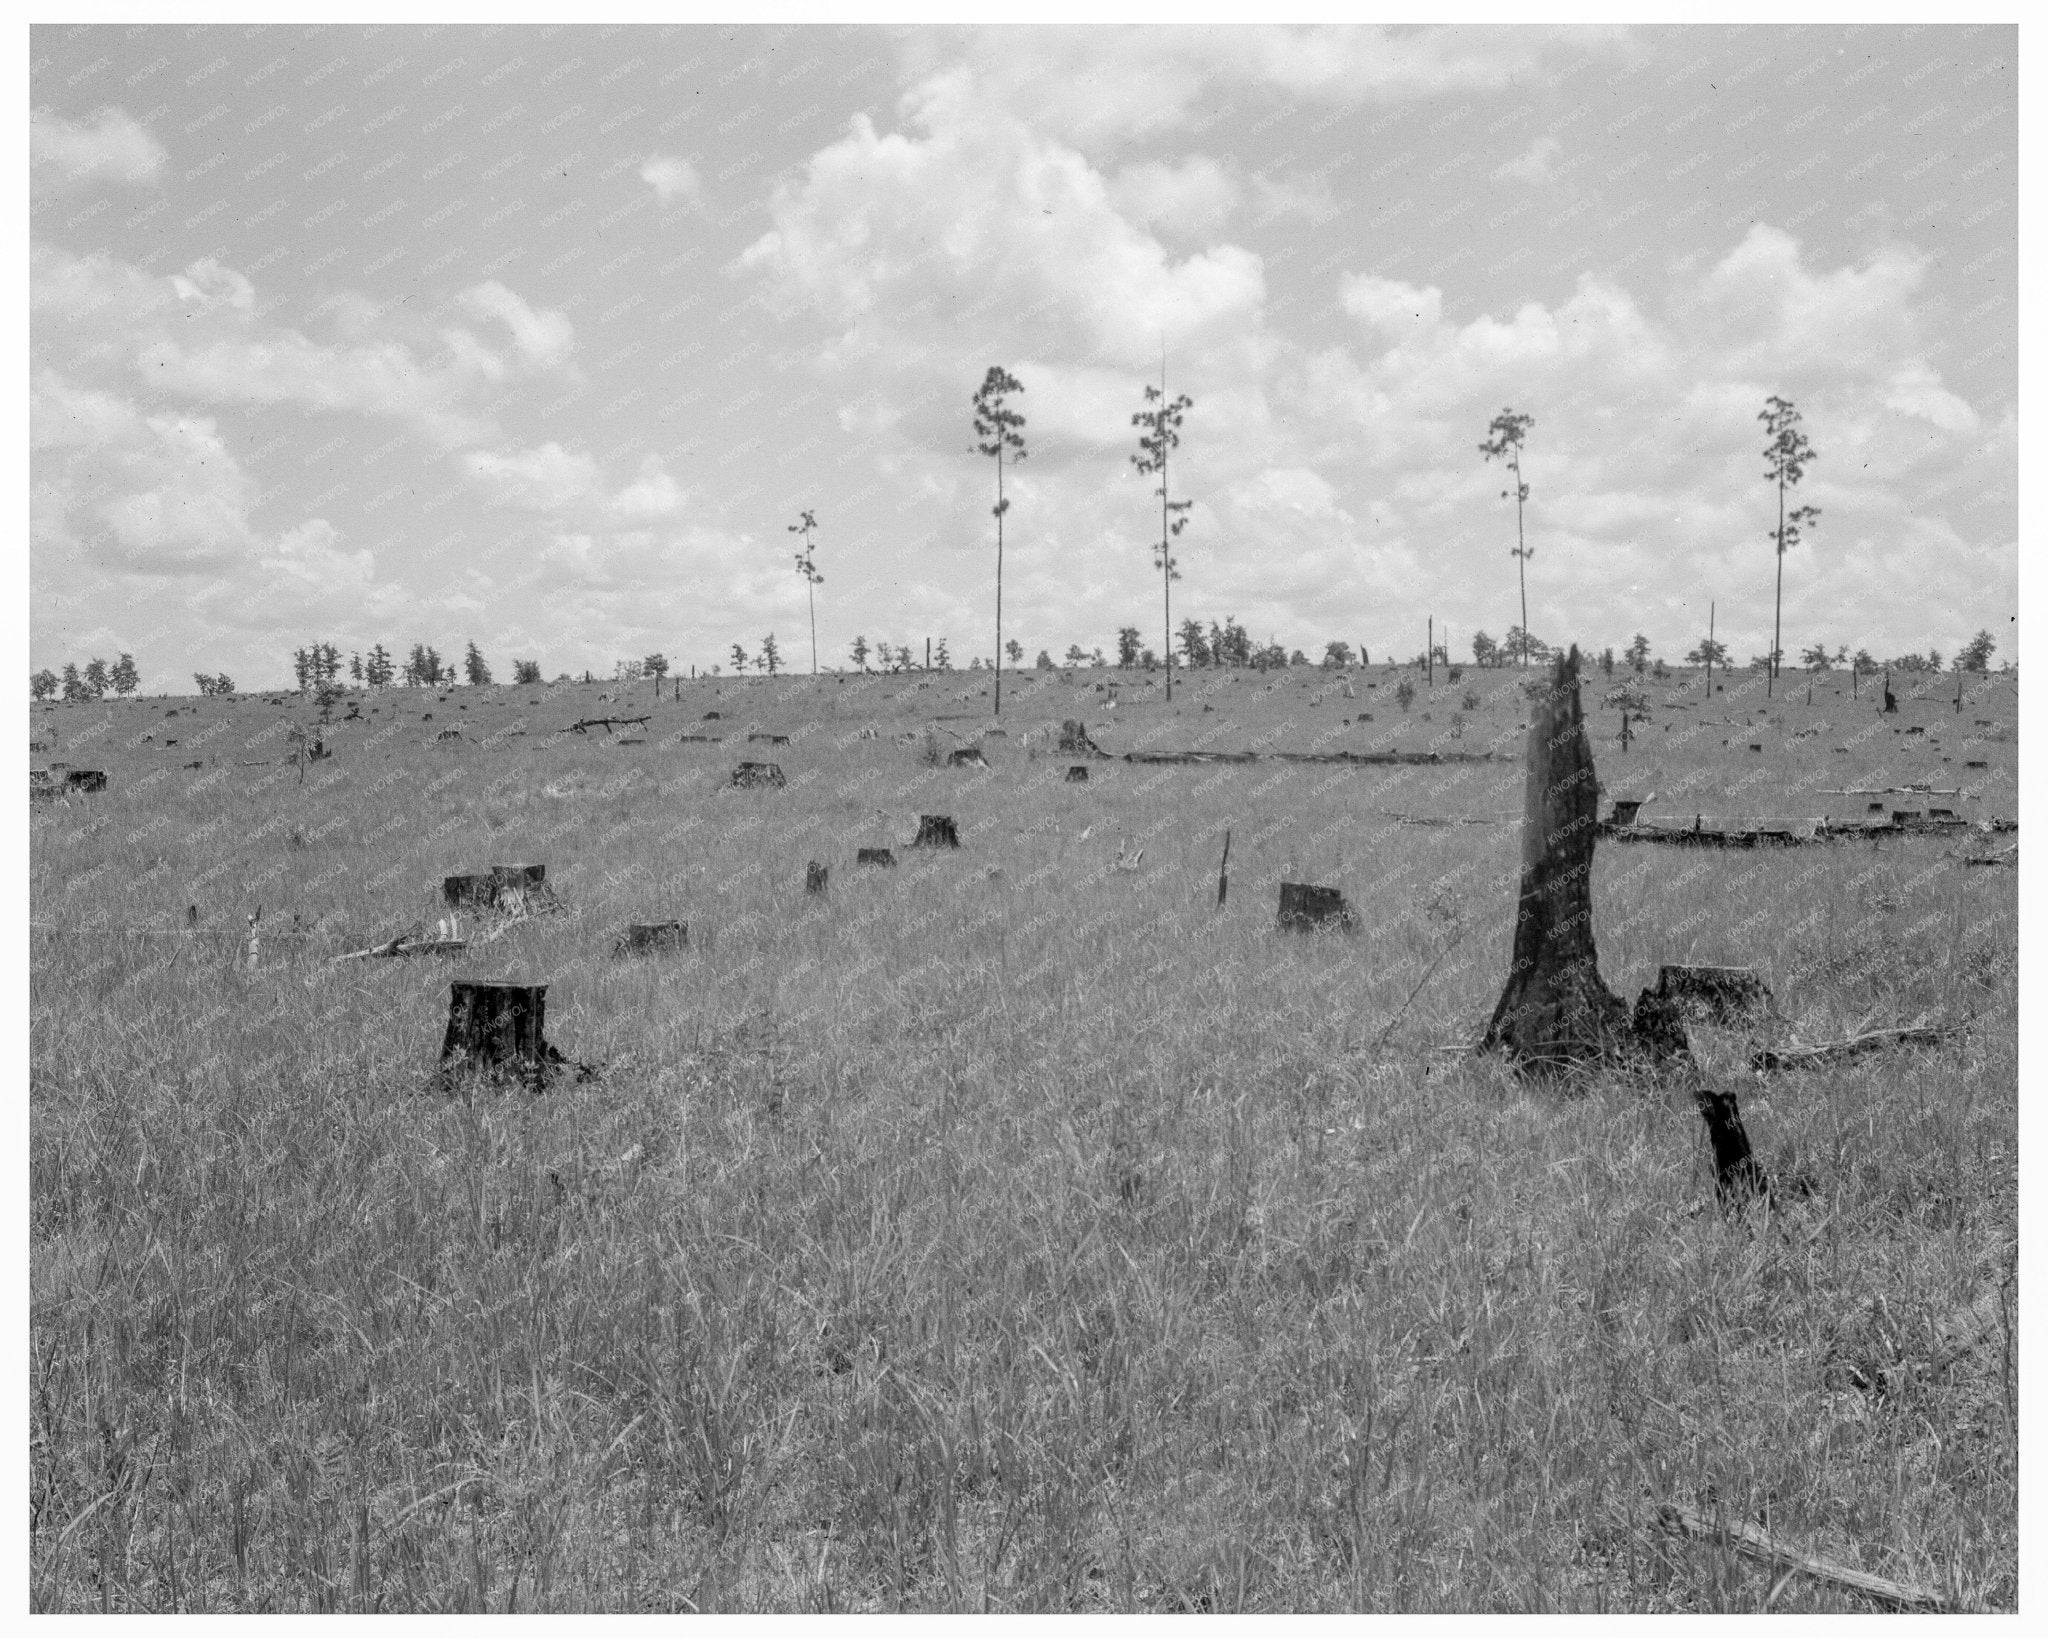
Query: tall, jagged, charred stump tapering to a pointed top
x=1555, y=1010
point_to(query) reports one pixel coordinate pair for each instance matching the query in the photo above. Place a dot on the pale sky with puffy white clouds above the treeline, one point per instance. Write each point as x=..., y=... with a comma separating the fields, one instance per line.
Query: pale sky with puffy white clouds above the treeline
x=544, y=337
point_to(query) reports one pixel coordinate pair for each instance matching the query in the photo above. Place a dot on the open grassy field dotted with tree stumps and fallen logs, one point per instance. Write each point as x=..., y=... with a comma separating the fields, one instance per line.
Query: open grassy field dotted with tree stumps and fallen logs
x=1005, y=1232
